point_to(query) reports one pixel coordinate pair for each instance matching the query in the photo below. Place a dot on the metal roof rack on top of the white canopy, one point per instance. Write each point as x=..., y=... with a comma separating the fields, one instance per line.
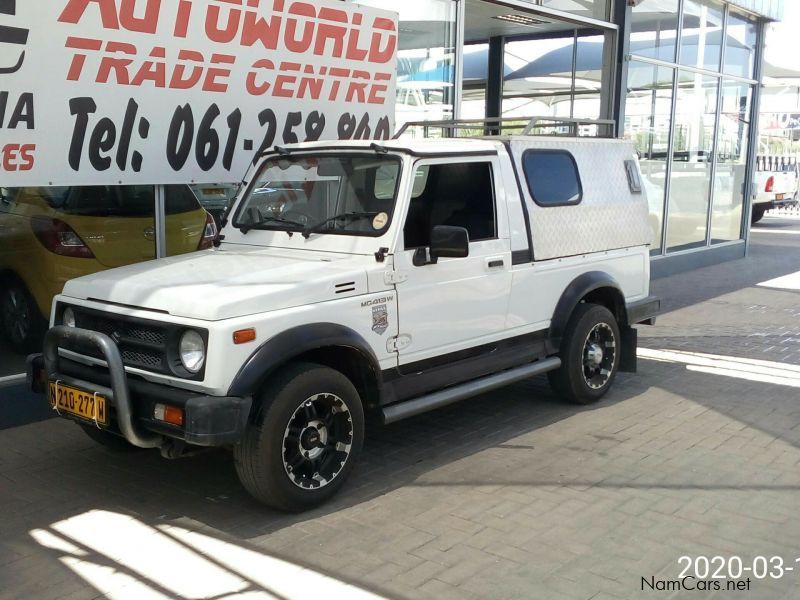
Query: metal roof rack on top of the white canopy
x=495, y=126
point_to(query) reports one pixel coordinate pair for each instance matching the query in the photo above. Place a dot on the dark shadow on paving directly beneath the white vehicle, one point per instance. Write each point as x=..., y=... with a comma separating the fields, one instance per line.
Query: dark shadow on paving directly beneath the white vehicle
x=205, y=487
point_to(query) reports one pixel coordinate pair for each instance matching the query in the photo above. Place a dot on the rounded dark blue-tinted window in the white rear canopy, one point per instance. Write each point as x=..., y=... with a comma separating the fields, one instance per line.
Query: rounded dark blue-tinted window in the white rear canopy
x=552, y=177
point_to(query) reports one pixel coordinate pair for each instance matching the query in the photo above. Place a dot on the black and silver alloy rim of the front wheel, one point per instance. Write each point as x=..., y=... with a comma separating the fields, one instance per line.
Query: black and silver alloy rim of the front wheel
x=317, y=441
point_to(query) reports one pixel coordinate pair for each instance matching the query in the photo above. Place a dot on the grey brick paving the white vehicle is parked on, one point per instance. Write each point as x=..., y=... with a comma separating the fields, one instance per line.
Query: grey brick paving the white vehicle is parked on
x=511, y=495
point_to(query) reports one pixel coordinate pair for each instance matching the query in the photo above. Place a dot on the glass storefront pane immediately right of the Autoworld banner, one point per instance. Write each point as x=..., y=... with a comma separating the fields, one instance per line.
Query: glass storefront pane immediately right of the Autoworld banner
x=425, y=59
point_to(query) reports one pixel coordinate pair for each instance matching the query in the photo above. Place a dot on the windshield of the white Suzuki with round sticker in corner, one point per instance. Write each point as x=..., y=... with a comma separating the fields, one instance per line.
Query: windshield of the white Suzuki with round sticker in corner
x=349, y=195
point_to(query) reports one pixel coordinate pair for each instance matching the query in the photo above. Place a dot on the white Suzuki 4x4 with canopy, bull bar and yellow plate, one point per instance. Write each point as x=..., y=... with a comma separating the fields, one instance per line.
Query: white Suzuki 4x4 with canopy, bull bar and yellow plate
x=355, y=278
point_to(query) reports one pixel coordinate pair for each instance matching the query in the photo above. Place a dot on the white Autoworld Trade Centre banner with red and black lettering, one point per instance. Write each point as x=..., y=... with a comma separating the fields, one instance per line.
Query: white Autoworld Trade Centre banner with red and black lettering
x=103, y=92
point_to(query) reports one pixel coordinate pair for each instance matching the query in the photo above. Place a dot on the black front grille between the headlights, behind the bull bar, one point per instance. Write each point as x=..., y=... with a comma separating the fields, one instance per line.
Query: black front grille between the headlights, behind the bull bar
x=143, y=344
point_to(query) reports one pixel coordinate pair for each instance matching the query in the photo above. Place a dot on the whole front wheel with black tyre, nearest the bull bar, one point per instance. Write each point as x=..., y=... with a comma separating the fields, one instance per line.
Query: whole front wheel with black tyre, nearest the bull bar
x=270, y=459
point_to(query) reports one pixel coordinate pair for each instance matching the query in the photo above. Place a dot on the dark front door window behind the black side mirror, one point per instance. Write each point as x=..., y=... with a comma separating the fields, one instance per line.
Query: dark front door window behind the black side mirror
x=459, y=195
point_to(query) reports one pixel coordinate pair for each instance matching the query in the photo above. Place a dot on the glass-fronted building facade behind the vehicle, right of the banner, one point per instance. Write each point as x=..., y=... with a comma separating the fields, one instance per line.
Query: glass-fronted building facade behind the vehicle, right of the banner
x=678, y=77
